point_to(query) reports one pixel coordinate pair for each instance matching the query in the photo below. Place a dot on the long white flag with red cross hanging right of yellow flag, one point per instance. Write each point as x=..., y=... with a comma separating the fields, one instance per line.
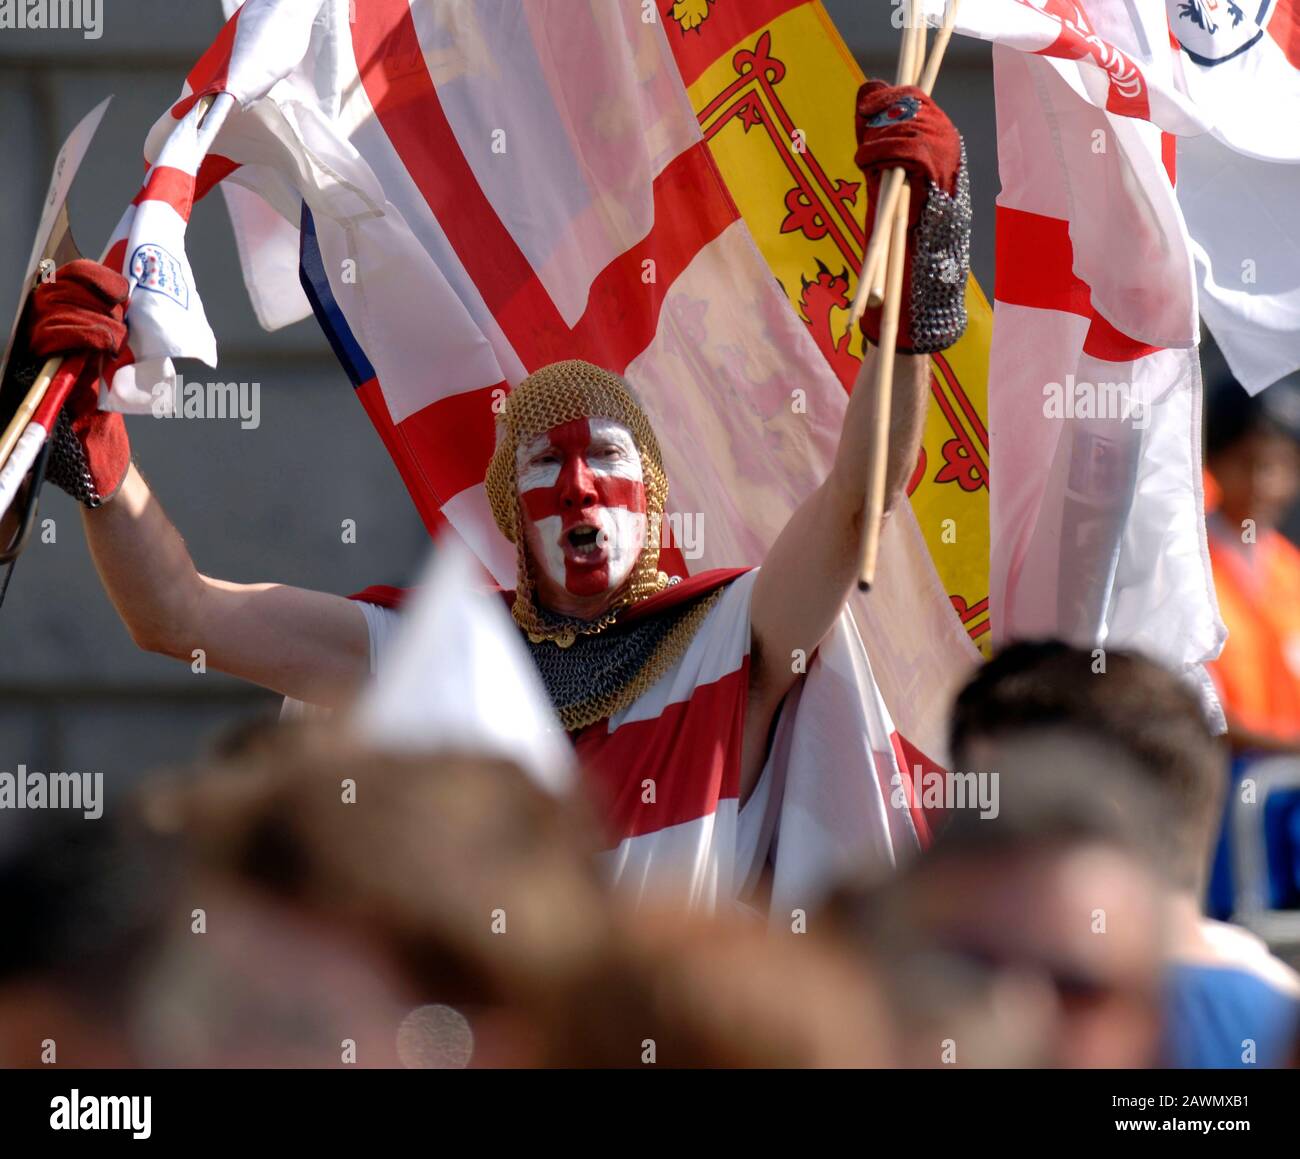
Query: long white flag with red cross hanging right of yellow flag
x=1098, y=531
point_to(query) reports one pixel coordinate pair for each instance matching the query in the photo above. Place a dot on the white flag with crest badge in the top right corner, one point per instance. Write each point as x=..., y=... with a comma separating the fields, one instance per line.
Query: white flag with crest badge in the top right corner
x=1224, y=76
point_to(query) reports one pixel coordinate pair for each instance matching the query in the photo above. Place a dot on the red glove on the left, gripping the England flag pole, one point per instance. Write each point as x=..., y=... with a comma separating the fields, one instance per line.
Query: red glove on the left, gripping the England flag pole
x=81, y=311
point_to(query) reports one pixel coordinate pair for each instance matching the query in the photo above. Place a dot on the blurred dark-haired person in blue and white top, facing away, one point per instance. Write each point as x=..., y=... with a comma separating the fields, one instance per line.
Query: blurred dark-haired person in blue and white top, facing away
x=1227, y=999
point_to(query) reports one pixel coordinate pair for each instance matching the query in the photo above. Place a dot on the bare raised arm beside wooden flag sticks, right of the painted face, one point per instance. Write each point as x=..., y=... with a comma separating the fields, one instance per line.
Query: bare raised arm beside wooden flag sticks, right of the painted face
x=813, y=566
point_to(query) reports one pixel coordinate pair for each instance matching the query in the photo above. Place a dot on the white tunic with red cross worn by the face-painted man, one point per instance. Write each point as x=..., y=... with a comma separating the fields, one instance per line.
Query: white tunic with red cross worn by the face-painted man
x=665, y=771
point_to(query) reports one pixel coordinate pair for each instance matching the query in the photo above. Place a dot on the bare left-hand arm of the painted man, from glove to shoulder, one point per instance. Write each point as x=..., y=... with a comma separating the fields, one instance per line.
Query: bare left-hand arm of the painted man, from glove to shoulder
x=307, y=645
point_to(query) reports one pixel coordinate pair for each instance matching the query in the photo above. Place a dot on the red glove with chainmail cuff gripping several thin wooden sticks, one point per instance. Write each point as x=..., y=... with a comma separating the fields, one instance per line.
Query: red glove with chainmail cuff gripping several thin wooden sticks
x=900, y=128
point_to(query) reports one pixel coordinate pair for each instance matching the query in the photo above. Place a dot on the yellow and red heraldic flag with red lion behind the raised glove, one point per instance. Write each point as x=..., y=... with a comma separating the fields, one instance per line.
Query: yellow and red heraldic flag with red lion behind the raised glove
x=773, y=85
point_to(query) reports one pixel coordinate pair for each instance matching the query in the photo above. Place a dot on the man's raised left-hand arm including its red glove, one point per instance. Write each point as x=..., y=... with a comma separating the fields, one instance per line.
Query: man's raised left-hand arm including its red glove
x=304, y=644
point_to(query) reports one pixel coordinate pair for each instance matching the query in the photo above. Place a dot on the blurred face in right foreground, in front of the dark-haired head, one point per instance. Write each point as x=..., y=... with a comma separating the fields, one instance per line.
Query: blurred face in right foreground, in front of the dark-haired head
x=1028, y=940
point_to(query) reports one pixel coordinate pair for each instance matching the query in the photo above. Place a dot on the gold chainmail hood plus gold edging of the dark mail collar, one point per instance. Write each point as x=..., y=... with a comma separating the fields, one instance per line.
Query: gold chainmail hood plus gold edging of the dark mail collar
x=549, y=397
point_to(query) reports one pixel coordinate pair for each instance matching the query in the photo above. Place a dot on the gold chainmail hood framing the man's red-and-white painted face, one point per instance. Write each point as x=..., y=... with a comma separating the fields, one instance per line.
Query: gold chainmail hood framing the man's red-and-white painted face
x=549, y=397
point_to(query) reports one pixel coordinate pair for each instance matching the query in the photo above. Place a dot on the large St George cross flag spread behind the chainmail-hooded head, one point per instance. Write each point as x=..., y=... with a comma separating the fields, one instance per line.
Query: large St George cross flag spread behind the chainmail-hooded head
x=479, y=189
